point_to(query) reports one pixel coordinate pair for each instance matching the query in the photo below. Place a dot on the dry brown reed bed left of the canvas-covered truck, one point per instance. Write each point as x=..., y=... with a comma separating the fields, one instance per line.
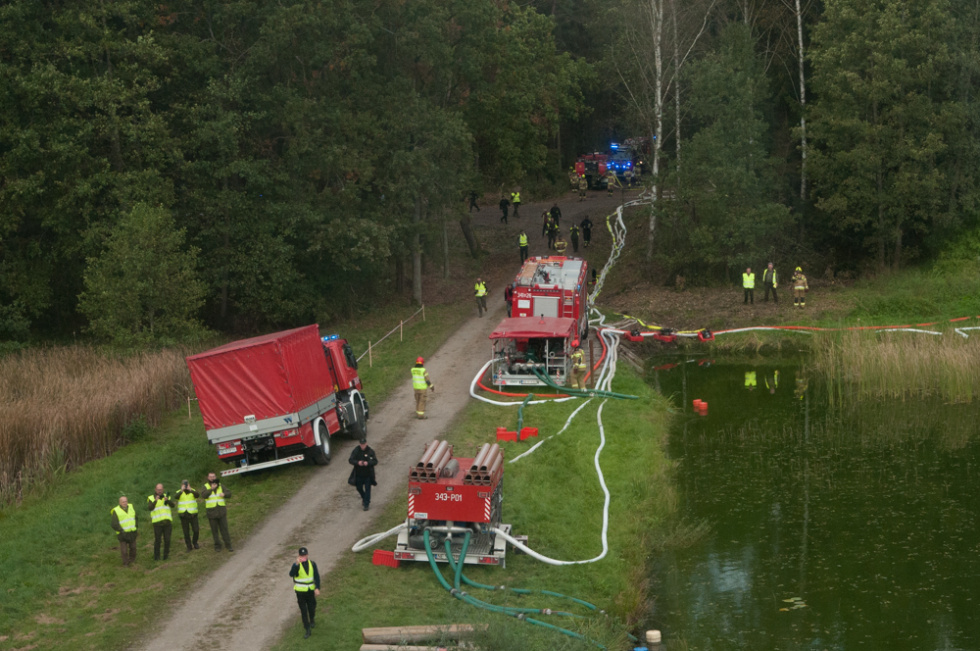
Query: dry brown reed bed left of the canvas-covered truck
x=62, y=407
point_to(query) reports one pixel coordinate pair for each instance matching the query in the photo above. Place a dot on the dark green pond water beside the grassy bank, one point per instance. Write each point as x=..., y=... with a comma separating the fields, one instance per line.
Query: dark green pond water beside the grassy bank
x=854, y=527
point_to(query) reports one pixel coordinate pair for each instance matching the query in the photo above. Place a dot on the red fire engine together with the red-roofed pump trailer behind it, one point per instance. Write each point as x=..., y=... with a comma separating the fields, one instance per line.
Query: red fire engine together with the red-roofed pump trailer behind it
x=549, y=314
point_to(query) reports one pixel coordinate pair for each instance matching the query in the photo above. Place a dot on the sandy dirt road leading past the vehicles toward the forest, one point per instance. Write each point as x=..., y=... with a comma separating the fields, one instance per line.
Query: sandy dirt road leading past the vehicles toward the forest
x=252, y=590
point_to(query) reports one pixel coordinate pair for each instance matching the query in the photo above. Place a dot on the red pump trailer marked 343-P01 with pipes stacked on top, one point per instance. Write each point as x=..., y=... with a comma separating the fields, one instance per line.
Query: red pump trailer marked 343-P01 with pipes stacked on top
x=450, y=497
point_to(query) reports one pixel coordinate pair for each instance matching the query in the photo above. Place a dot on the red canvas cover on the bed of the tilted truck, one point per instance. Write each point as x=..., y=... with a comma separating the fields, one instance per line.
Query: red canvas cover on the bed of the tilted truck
x=265, y=377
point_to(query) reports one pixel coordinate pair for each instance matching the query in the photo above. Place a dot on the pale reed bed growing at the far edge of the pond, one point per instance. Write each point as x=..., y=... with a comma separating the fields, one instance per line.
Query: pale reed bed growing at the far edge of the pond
x=899, y=365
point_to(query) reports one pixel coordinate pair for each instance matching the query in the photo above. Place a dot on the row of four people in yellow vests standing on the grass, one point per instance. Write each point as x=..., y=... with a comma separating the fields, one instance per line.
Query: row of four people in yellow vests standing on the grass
x=161, y=506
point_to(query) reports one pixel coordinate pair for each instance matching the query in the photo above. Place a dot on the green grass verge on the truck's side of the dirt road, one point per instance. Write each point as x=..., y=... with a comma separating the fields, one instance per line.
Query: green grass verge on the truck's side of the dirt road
x=64, y=586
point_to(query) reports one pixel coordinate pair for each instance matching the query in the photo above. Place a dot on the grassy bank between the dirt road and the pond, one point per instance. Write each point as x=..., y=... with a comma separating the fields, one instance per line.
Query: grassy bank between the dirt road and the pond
x=552, y=496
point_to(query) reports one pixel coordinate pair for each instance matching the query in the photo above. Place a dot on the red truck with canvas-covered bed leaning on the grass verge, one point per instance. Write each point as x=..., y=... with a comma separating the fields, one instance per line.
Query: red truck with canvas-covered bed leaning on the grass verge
x=278, y=398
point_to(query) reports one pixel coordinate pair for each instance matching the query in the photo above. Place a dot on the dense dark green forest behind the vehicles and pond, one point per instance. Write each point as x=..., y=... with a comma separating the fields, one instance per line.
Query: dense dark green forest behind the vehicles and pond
x=174, y=168
